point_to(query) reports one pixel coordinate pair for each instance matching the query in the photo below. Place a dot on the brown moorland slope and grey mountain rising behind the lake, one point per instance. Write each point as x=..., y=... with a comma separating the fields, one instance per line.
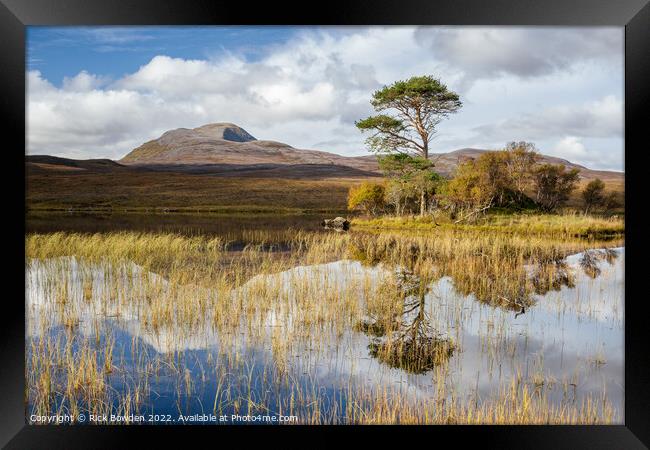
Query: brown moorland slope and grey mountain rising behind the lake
x=220, y=166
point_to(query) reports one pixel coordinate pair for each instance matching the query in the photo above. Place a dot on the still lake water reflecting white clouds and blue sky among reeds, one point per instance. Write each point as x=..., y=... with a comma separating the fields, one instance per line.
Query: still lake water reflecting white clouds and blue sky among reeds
x=567, y=345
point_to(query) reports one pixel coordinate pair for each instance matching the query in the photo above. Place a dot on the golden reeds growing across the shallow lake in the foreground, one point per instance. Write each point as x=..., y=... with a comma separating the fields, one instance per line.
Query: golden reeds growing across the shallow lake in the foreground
x=186, y=293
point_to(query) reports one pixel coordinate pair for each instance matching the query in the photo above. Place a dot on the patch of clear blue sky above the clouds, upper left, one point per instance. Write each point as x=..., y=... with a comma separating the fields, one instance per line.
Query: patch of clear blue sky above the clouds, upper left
x=115, y=51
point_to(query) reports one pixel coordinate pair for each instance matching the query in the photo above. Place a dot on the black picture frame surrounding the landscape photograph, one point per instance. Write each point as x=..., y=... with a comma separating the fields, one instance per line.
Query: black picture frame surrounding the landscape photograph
x=634, y=15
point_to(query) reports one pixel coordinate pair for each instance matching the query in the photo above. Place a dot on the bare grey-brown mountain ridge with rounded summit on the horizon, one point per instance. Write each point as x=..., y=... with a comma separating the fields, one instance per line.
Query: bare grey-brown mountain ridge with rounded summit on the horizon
x=227, y=149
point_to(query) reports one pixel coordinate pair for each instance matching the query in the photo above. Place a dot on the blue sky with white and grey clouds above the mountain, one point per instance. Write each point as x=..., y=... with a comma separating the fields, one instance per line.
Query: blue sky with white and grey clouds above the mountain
x=99, y=92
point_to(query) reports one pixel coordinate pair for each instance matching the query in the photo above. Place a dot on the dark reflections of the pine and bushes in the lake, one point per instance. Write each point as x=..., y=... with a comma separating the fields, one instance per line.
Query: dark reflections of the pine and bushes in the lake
x=401, y=331
